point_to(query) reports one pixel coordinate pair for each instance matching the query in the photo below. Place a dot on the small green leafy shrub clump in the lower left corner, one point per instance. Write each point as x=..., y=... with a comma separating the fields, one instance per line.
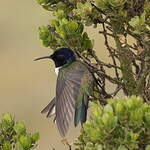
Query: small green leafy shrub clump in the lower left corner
x=14, y=136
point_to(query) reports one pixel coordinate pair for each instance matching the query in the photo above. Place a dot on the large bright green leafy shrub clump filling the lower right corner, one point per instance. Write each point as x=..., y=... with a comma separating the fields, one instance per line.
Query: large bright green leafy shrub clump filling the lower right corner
x=123, y=124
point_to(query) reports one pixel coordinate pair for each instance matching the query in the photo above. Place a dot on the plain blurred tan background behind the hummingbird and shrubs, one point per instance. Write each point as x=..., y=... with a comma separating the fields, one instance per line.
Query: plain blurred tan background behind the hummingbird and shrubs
x=27, y=86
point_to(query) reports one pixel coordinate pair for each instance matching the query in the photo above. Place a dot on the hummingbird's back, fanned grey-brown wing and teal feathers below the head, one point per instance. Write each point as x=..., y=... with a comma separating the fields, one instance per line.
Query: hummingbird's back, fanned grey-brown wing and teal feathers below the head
x=74, y=85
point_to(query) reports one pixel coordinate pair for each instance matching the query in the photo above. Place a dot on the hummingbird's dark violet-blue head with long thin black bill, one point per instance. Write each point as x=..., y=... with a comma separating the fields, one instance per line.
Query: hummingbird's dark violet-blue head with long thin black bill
x=61, y=57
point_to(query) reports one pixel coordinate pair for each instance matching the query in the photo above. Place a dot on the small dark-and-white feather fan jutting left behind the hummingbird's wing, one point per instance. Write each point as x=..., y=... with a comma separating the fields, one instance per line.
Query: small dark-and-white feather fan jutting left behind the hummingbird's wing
x=50, y=108
